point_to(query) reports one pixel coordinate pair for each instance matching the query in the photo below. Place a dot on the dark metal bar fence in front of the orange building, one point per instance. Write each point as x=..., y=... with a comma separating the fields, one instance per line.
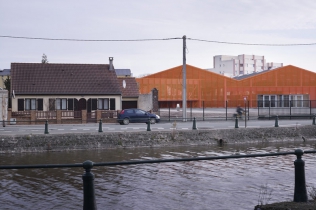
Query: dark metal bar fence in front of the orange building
x=265, y=109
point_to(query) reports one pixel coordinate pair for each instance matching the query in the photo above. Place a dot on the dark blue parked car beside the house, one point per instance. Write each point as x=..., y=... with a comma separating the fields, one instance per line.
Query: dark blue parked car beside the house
x=127, y=116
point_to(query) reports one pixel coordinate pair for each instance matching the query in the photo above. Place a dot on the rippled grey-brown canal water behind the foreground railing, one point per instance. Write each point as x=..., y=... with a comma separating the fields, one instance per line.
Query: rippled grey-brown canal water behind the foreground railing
x=220, y=184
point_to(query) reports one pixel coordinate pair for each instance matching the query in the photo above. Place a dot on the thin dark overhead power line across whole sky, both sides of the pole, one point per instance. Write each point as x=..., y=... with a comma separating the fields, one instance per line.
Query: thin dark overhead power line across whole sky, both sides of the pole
x=162, y=39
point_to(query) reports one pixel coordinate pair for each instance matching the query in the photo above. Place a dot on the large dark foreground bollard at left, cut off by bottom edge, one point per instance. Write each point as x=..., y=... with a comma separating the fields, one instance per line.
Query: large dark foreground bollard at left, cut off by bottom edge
x=88, y=187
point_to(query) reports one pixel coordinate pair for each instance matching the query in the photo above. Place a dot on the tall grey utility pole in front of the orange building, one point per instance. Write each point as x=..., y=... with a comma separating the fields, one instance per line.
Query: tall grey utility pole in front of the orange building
x=184, y=82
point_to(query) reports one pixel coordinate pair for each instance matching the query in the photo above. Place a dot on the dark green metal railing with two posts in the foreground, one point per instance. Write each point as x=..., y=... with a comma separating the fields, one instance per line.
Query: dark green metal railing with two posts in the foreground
x=89, y=200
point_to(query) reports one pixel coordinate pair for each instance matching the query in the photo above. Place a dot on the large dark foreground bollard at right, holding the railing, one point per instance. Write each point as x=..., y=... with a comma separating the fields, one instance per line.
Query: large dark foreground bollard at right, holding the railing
x=300, y=193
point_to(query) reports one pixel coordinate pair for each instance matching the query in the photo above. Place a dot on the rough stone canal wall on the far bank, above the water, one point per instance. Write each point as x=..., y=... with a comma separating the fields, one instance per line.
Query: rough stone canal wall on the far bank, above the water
x=107, y=140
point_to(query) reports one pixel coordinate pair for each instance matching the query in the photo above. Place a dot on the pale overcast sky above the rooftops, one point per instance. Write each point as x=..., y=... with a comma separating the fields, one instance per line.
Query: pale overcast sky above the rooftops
x=239, y=21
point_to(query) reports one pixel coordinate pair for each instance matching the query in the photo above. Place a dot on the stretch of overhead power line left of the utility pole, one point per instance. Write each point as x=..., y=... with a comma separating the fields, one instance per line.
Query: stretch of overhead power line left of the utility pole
x=89, y=40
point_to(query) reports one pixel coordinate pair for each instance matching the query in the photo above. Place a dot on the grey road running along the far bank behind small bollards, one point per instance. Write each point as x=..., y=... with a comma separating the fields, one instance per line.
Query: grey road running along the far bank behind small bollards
x=162, y=126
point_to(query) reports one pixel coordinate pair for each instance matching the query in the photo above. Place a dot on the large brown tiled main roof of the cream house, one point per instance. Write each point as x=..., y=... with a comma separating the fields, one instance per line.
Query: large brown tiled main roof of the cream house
x=51, y=78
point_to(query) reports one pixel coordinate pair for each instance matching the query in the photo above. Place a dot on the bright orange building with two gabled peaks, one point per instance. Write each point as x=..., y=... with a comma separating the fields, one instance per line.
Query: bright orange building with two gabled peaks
x=281, y=87
